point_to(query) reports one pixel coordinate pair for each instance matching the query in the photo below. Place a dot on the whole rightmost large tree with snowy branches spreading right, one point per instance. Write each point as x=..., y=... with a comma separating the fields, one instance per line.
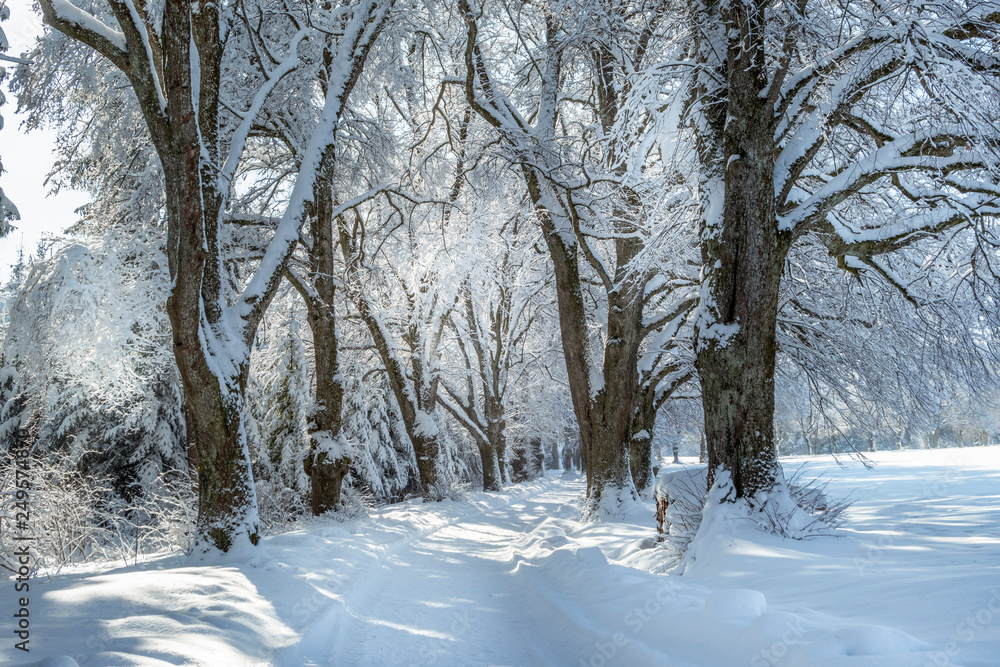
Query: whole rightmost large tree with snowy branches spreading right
x=845, y=123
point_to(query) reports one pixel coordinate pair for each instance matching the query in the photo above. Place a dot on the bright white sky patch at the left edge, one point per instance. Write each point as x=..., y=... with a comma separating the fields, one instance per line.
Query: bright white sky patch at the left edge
x=27, y=158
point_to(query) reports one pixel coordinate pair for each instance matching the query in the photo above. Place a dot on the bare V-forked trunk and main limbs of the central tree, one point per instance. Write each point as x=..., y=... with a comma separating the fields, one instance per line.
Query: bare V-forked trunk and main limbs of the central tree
x=603, y=396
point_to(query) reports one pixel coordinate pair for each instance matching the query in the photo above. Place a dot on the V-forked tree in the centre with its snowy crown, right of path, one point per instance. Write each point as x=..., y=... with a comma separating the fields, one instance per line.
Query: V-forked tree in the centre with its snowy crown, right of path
x=555, y=113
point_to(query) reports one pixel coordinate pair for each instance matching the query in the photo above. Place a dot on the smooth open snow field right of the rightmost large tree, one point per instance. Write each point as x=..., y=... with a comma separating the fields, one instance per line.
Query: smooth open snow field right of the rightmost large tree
x=920, y=552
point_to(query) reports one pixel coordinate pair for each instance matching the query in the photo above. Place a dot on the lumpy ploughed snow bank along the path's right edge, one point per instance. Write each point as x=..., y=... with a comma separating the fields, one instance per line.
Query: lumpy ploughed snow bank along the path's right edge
x=626, y=616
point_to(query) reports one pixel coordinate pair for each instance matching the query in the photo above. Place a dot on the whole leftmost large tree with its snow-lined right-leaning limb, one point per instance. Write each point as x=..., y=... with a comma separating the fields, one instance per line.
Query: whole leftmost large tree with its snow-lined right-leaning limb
x=201, y=84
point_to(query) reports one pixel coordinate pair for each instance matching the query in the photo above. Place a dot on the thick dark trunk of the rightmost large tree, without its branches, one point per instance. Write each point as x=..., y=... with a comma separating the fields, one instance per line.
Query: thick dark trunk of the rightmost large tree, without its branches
x=742, y=255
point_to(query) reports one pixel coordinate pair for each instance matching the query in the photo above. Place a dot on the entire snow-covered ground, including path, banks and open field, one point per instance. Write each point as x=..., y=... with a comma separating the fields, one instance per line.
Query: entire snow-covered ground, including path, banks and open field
x=513, y=579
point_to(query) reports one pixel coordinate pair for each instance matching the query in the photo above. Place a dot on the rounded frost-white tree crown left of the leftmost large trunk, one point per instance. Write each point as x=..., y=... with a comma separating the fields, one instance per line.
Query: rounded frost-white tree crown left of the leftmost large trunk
x=88, y=346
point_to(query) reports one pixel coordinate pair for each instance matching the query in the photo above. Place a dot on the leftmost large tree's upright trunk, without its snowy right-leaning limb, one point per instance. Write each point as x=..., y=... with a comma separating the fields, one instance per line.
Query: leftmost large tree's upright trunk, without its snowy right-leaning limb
x=213, y=373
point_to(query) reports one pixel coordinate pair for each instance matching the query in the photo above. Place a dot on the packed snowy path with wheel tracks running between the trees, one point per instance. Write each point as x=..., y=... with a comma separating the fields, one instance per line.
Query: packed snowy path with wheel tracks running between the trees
x=450, y=594
